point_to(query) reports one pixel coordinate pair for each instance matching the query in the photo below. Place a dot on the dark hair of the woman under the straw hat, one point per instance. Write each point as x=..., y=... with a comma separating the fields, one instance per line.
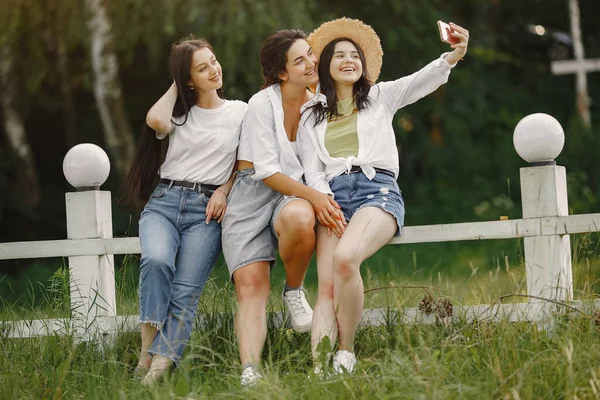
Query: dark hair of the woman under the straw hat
x=360, y=90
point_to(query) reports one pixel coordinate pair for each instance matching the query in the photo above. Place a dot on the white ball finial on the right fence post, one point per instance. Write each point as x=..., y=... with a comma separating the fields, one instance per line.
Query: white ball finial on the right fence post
x=538, y=138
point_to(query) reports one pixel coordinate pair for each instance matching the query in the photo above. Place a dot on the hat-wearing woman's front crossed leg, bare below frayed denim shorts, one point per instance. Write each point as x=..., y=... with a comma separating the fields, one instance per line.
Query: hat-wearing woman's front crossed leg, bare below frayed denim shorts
x=369, y=229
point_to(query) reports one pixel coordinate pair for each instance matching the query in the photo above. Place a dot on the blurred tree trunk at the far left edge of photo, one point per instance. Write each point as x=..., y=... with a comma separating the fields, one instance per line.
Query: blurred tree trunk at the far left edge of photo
x=27, y=182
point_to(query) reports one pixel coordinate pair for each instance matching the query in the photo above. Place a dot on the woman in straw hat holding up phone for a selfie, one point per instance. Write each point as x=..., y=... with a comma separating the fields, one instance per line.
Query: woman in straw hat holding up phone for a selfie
x=348, y=150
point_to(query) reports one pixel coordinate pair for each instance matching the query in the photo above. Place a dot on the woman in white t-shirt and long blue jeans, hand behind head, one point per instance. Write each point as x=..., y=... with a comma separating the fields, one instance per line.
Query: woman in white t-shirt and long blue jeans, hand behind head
x=180, y=231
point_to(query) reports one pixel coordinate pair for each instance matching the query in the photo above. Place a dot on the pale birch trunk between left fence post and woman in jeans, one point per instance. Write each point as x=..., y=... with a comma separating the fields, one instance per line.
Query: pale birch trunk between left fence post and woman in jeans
x=107, y=88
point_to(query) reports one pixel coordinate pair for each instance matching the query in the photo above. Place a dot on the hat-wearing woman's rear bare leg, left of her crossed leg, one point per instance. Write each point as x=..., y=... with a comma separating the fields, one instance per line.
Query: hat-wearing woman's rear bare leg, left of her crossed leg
x=324, y=321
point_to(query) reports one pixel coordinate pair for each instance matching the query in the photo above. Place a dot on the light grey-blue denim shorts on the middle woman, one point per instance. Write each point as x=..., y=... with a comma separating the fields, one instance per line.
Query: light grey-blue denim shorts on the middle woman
x=248, y=234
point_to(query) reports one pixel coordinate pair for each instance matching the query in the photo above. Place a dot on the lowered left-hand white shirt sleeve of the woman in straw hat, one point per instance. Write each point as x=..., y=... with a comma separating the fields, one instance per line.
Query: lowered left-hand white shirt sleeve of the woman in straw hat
x=314, y=169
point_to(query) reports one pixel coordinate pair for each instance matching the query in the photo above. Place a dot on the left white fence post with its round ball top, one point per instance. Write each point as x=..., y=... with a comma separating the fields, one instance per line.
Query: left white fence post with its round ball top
x=89, y=215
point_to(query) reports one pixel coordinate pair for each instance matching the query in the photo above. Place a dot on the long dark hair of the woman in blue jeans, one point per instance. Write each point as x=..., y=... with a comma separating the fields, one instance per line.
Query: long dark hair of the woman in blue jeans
x=150, y=153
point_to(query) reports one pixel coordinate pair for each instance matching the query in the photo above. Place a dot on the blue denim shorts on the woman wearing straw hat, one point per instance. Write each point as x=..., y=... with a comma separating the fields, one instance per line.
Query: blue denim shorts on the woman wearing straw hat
x=355, y=191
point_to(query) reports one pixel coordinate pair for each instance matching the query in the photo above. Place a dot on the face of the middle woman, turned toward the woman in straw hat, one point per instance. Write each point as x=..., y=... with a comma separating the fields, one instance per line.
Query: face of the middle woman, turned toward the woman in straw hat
x=301, y=65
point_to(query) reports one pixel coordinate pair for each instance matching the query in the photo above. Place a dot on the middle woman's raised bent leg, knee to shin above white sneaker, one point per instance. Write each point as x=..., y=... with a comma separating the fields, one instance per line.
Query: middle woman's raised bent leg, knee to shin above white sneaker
x=295, y=227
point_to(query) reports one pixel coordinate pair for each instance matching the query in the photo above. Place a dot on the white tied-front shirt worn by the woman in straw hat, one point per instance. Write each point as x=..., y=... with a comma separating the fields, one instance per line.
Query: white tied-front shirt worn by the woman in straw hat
x=376, y=138
